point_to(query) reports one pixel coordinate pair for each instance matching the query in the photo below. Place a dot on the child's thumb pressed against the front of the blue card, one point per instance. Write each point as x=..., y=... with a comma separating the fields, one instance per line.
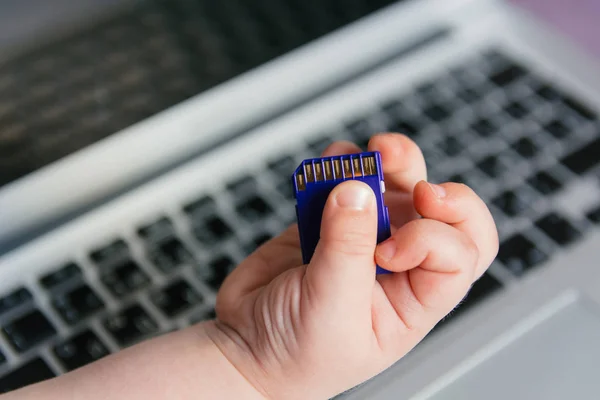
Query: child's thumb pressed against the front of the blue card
x=342, y=269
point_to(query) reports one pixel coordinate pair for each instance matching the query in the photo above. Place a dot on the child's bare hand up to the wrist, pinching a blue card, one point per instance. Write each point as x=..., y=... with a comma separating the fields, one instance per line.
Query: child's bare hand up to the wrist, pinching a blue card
x=313, y=331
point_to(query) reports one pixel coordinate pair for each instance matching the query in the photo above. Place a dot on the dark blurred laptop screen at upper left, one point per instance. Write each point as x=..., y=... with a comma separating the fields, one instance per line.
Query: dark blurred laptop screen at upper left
x=96, y=78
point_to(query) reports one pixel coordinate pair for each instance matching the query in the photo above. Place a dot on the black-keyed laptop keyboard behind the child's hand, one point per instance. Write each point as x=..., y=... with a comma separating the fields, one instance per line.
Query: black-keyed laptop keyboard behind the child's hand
x=490, y=123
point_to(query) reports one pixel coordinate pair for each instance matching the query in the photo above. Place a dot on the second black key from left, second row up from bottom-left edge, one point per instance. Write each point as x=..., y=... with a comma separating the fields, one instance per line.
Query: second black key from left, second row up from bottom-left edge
x=77, y=304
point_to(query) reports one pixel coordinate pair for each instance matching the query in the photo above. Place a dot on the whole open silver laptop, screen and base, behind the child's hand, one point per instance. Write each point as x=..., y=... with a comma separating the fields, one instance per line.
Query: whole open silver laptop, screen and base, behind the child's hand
x=148, y=150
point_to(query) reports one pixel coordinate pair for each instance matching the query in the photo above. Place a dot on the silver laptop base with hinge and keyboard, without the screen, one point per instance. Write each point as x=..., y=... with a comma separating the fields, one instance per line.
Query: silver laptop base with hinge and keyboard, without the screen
x=482, y=72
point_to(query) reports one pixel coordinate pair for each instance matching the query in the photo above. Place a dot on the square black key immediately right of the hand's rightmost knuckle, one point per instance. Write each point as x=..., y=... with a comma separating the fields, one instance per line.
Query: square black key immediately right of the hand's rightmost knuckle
x=519, y=254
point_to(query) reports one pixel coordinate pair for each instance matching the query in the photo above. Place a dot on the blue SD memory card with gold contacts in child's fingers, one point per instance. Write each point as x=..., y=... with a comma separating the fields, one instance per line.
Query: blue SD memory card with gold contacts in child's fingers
x=315, y=178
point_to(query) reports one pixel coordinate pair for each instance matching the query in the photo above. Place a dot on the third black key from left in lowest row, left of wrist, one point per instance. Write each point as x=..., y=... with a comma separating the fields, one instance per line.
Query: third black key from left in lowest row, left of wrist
x=131, y=325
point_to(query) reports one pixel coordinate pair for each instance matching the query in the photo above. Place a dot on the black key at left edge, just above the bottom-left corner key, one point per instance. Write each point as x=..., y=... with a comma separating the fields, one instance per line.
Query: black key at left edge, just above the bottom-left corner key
x=28, y=331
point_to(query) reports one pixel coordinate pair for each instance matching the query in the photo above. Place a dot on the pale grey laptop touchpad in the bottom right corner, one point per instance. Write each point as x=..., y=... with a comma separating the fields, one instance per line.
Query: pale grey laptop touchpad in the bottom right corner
x=558, y=358
